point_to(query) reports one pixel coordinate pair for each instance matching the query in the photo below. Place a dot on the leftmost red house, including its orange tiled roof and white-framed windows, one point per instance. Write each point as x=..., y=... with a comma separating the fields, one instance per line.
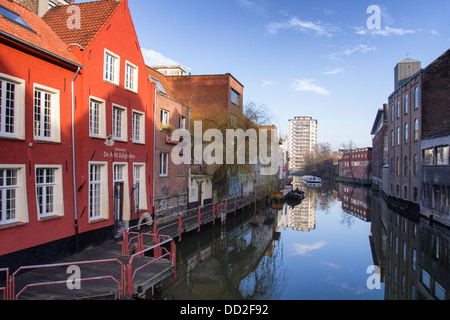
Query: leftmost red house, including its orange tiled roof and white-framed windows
x=36, y=72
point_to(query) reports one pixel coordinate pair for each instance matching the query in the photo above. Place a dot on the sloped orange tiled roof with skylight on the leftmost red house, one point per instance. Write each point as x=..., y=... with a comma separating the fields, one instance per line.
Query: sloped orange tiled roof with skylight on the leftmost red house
x=39, y=35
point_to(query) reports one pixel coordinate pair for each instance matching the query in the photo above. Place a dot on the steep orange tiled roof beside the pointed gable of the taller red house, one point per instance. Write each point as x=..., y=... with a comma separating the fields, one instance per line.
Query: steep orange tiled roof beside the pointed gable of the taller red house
x=93, y=16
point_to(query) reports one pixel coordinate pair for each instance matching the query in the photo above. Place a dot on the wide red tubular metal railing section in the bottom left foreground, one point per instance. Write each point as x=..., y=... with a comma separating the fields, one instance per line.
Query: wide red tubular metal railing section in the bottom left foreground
x=120, y=283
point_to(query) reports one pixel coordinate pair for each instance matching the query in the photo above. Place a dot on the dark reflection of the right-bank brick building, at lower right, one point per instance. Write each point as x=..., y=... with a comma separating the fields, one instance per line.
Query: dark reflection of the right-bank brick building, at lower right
x=413, y=255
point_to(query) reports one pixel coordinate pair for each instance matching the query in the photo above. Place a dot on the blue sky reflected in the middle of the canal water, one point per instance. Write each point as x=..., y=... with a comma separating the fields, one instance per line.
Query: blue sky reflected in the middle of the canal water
x=327, y=262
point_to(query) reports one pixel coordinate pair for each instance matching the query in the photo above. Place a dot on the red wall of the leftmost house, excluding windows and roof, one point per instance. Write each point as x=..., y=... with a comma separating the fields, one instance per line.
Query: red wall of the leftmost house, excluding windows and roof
x=19, y=64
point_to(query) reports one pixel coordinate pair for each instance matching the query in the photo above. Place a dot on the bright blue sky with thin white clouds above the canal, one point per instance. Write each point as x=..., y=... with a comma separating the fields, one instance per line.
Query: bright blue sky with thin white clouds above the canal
x=299, y=58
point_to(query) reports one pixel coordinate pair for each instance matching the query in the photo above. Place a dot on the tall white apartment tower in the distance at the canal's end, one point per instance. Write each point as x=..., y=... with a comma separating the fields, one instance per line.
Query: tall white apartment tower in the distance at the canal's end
x=302, y=141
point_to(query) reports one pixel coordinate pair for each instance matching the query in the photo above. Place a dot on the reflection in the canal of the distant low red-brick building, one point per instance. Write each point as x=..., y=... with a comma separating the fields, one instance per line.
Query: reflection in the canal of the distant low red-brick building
x=356, y=201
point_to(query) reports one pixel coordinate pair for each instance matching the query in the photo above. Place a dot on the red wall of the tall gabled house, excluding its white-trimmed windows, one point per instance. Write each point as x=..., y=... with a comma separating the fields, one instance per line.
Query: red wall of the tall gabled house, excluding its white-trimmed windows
x=119, y=37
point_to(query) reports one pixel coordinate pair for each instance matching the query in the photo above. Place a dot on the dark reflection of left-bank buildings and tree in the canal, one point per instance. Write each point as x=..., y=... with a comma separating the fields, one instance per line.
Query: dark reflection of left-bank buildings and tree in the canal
x=217, y=264
